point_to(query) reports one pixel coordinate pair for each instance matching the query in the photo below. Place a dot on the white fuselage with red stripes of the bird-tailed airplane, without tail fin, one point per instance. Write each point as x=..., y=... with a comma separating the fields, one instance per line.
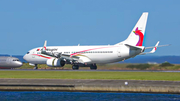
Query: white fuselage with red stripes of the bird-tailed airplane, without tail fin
x=88, y=54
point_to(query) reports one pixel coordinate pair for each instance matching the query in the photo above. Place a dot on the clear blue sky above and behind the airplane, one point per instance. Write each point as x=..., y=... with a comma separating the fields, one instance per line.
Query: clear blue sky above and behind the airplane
x=26, y=24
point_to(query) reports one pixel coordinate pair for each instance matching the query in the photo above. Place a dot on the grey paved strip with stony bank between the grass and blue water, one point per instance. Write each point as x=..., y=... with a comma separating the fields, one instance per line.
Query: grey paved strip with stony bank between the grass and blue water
x=90, y=85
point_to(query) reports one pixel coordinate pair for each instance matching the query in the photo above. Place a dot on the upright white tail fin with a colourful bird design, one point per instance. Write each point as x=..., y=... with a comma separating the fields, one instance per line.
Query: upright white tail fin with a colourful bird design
x=136, y=36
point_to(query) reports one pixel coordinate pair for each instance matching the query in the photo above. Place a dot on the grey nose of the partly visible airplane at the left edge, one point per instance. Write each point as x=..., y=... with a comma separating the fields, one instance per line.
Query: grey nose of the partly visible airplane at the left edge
x=7, y=62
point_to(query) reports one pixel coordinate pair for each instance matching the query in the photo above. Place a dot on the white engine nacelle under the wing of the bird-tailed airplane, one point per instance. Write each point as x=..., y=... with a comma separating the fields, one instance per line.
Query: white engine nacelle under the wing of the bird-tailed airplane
x=55, y=62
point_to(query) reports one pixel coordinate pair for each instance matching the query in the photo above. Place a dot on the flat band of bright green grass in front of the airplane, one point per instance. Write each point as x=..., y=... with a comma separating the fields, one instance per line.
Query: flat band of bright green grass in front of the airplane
x=169, y=76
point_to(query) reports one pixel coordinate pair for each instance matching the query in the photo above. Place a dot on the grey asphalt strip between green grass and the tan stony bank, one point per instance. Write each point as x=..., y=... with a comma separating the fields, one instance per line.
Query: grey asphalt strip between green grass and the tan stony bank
x=67, y=82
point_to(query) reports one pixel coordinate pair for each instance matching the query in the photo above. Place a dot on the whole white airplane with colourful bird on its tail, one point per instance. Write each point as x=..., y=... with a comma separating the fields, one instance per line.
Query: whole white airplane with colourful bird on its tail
x=89, y=56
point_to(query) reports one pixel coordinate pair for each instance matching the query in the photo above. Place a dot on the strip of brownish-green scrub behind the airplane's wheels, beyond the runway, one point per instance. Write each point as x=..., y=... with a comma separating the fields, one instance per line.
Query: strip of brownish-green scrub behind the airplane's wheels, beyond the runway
x=118, y=66
